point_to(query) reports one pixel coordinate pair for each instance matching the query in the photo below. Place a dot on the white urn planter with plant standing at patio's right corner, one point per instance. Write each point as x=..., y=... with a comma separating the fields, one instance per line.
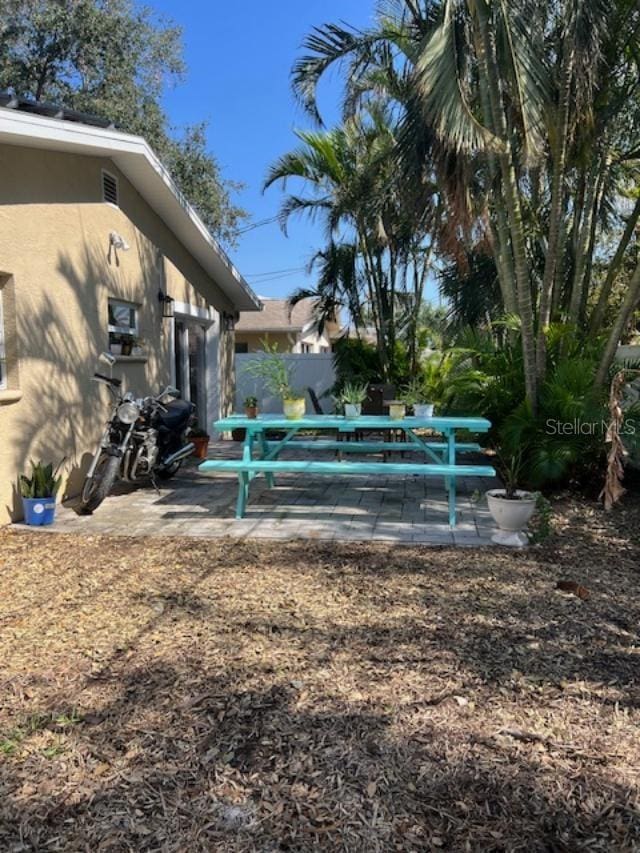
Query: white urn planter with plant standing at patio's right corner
x=511, y=507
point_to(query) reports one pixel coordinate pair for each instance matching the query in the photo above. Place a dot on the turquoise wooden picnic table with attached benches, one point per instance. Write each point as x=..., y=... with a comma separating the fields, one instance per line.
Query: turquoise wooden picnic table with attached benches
x=440, y=457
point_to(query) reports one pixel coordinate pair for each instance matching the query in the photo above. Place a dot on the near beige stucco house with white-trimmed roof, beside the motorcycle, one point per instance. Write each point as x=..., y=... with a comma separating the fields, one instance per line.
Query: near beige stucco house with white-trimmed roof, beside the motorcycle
x=94, y=236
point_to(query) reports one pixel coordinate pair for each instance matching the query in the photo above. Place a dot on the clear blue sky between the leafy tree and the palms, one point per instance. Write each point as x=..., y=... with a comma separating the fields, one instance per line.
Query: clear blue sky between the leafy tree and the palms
x=239, y=57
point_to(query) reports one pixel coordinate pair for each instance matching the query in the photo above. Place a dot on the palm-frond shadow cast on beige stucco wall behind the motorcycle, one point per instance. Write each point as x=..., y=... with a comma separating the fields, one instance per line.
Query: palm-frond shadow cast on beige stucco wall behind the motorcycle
x=63, y=411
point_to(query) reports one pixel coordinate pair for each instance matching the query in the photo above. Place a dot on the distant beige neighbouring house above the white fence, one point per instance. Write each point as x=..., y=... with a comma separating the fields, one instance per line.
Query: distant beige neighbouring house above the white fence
x=292, y=328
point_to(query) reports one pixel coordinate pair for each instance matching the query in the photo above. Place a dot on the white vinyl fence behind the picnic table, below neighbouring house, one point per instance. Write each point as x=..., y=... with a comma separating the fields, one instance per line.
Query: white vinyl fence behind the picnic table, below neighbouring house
x=310, y=370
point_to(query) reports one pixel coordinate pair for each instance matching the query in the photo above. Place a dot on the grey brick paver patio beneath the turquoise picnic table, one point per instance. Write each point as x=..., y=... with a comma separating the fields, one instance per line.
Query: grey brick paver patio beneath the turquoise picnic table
x=394, y=509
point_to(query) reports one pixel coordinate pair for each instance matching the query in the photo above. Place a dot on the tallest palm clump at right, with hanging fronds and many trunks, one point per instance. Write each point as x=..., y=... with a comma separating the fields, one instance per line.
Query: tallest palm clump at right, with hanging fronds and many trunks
x=527, y=114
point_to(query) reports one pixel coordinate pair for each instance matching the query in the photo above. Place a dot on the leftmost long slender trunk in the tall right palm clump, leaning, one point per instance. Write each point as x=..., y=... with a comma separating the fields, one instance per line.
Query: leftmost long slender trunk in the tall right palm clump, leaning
x=514, y=213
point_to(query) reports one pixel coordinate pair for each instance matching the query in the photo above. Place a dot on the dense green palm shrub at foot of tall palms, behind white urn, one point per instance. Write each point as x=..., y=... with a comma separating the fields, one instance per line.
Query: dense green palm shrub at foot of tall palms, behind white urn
x=564, y=440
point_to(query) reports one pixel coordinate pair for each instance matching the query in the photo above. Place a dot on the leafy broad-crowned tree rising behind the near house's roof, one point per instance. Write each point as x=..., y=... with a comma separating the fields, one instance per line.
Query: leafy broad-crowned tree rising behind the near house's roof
x=113, y=59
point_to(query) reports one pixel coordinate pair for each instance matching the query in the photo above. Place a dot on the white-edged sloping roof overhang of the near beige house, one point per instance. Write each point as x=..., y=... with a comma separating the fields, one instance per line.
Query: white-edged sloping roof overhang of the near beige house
x=47, y=127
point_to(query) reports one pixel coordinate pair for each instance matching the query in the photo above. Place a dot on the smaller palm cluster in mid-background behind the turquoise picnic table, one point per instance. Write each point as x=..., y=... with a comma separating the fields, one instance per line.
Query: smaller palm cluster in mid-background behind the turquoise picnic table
x=376, y=250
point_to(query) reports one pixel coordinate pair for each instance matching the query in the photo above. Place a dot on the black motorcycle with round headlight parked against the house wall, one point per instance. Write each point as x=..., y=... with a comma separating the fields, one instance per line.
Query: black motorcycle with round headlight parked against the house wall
x=144, y=438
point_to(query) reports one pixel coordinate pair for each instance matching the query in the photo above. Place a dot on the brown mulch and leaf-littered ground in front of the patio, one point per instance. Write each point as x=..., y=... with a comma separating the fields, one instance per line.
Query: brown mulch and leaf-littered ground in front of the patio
x=191, y=695
